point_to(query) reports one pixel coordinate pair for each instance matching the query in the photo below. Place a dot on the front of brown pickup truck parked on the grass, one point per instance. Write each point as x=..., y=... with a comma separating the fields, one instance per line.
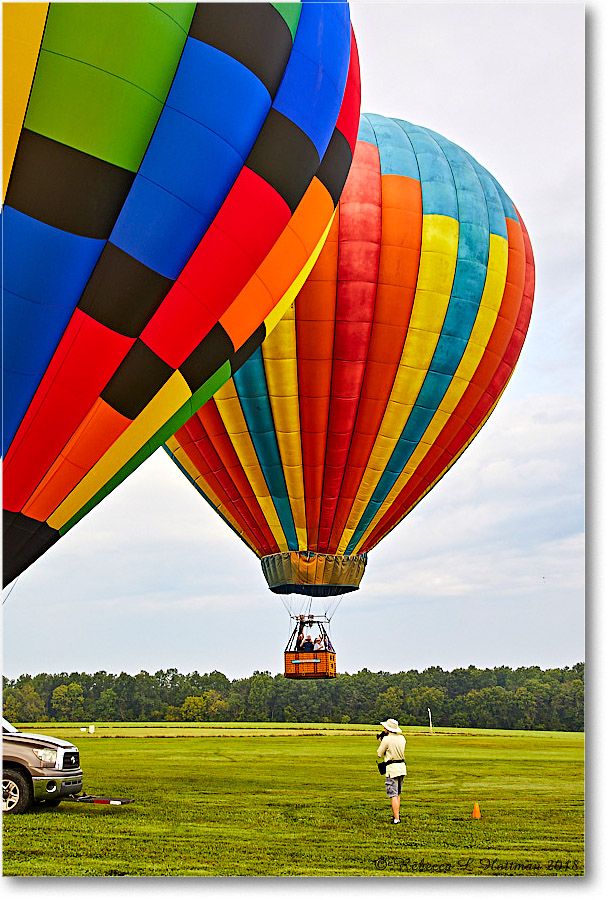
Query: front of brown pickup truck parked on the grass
x=35, y=768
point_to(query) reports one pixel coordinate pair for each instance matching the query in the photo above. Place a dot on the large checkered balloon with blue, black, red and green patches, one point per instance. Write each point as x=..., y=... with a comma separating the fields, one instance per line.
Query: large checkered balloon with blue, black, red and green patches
x=174, y=169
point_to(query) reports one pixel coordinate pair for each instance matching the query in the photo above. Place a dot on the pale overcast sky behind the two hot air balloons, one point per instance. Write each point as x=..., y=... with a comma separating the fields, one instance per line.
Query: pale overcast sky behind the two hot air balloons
x=489, y=569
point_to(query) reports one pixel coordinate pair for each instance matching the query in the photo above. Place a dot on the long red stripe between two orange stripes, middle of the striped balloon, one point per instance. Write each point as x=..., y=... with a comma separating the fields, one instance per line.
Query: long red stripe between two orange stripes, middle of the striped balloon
x=357, y=276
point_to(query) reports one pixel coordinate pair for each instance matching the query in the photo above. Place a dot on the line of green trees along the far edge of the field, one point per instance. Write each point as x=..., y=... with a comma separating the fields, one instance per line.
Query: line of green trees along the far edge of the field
x=523, y=698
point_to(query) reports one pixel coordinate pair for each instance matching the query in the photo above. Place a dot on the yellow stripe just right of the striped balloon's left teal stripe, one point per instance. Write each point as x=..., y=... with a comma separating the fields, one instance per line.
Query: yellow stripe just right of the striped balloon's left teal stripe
x=281, y=371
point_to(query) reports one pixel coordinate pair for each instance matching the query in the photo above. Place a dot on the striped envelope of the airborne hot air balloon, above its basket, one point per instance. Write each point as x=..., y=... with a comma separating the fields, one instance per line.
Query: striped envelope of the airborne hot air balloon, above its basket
x=379, y=376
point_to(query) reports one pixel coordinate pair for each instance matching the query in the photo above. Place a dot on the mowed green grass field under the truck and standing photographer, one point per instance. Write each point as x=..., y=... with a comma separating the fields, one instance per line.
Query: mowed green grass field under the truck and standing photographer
x=307, y=800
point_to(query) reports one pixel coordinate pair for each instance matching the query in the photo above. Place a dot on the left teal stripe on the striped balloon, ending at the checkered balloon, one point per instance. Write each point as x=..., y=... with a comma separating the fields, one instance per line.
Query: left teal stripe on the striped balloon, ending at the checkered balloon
x=252, y=391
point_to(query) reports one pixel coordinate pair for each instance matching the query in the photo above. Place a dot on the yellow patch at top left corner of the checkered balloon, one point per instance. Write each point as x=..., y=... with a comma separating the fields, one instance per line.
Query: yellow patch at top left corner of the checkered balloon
x=22, y=30
